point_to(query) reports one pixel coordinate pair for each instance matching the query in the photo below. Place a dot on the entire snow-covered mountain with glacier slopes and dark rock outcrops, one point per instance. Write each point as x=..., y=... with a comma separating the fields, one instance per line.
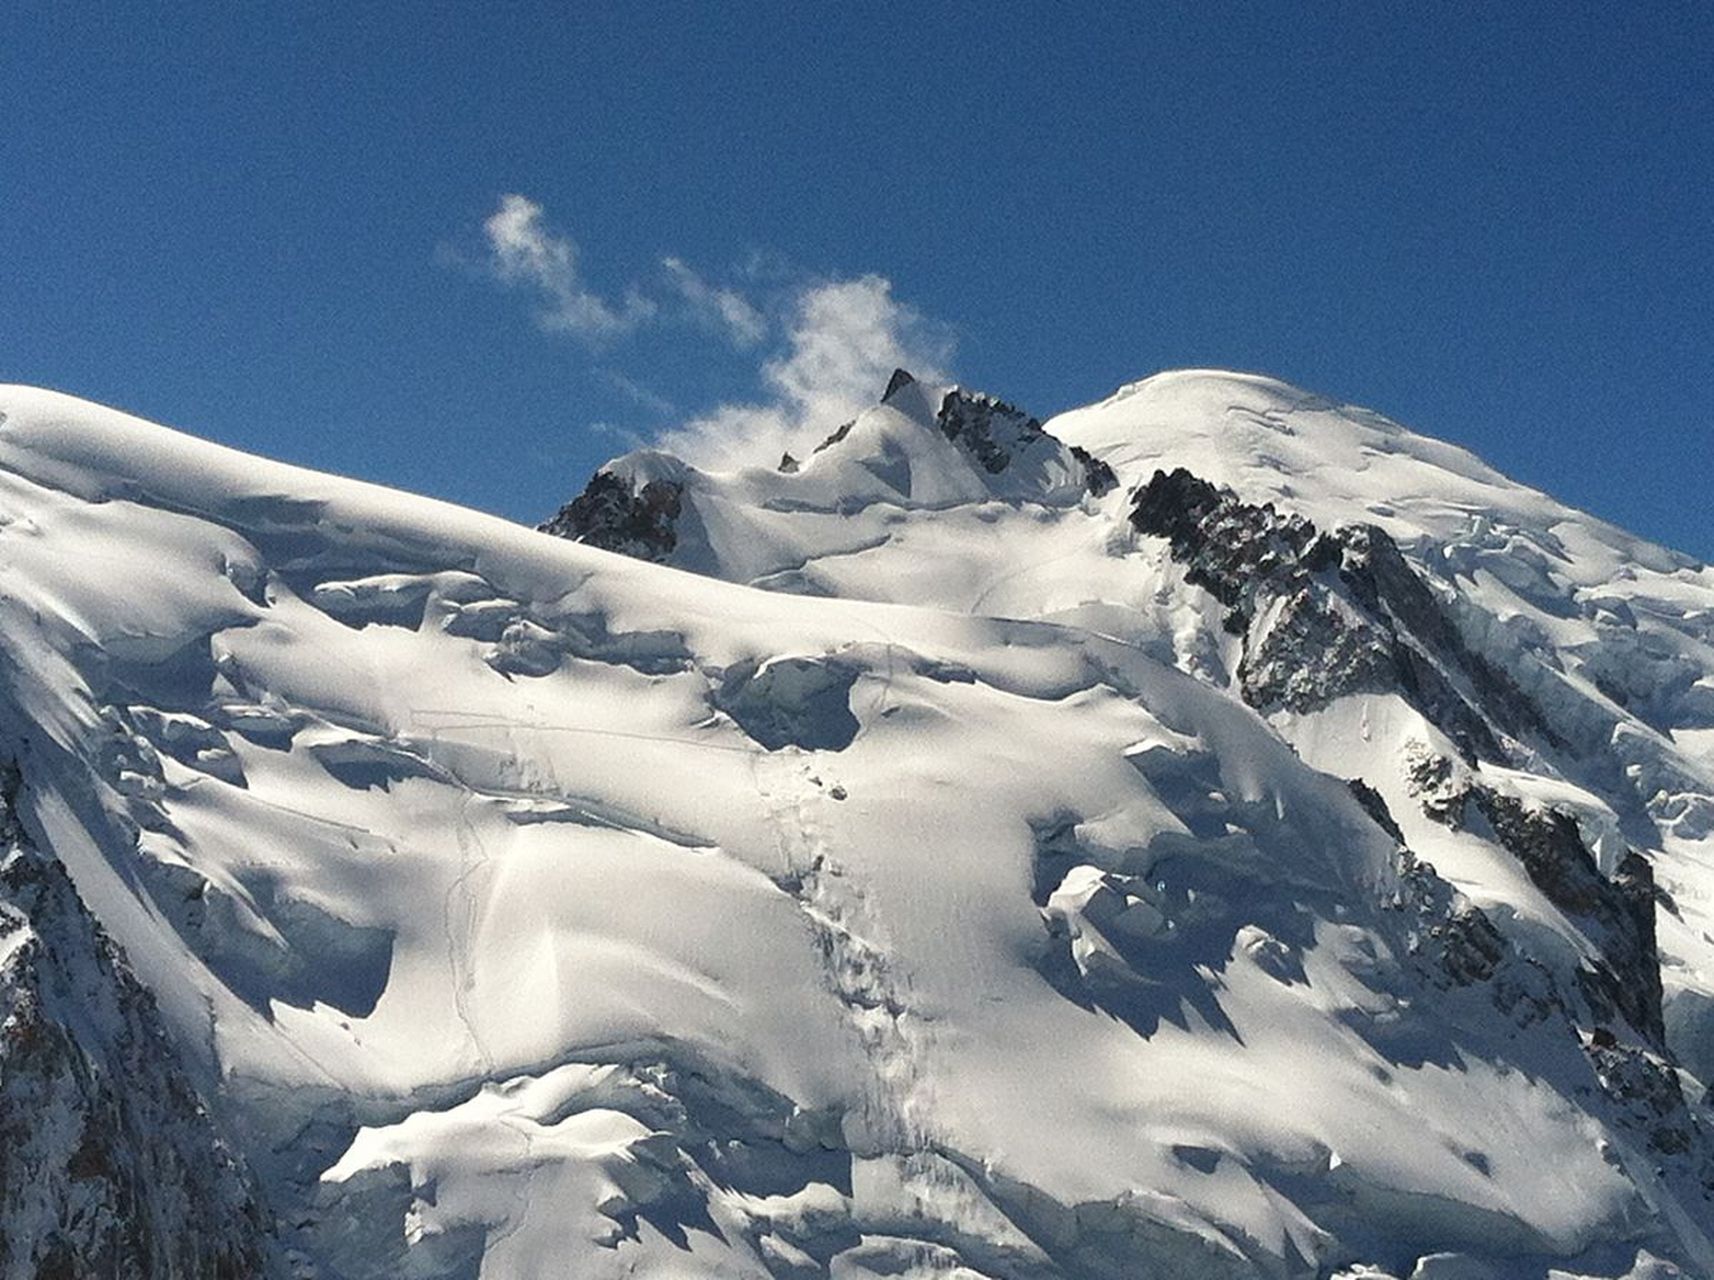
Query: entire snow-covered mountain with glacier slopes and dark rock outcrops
x=1216, y=832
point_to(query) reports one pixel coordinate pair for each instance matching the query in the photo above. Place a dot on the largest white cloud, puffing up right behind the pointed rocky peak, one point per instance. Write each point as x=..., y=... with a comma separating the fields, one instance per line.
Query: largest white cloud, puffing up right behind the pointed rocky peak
x=844, y=340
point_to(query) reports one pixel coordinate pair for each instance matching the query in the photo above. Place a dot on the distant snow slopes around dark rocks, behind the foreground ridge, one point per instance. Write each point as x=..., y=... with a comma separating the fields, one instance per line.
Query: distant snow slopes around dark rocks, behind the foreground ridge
x=1609, y=638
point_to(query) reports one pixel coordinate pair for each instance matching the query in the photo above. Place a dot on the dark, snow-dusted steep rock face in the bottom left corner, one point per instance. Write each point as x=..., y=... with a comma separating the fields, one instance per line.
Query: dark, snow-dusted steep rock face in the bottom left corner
x=111, y=1164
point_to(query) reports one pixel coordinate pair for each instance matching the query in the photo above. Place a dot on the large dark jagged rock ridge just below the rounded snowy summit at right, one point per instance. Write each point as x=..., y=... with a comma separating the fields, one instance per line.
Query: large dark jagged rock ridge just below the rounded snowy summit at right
x=1329, y=614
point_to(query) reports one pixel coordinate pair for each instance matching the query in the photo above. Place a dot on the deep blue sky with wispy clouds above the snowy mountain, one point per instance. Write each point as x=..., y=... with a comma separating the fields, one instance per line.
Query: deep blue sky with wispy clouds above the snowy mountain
x=287, y=227
